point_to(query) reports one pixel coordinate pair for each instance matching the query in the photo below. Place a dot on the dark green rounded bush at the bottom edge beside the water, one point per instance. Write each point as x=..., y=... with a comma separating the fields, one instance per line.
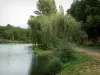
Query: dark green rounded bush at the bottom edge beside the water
x=53, y=67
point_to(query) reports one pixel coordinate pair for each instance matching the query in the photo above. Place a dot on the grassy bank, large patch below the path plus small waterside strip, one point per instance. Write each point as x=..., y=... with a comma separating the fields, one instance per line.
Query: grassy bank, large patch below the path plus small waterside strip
x=82, y=65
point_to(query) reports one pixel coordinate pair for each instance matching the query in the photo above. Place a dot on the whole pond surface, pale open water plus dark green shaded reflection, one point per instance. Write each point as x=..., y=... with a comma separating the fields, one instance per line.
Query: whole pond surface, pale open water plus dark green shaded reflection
x=18, y=59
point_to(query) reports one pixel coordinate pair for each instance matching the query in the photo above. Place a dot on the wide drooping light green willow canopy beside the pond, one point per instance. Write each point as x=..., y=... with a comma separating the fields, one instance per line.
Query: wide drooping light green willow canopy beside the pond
x=47, y=30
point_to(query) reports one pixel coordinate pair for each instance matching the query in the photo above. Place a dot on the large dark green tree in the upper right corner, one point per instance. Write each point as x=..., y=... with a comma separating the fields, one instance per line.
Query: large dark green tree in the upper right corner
x=87, y=11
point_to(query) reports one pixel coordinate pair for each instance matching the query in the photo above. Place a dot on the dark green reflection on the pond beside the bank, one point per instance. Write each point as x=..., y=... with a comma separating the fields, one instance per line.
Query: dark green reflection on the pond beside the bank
x=38, y=65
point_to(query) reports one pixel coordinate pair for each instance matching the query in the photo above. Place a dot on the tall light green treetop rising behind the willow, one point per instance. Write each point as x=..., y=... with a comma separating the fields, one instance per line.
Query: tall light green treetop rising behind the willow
x=46, y=7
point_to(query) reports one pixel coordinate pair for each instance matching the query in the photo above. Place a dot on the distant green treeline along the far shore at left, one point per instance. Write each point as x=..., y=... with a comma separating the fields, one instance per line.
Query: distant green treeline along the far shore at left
x=13, y=34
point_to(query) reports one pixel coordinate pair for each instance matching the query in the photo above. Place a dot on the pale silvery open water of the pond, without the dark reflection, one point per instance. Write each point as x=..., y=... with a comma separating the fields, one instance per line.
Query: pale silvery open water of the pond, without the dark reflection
x=15, y=59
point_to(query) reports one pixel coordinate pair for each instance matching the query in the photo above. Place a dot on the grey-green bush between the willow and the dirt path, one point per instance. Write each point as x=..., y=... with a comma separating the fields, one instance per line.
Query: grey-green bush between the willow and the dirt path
x=64, y=52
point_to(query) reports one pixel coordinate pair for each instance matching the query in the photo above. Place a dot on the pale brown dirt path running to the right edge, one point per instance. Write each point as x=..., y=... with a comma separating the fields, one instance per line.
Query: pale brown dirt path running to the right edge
x=90, y=52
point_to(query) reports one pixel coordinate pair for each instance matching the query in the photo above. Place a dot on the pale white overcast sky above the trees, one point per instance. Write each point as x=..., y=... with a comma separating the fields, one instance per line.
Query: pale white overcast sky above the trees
x=17, y=12
